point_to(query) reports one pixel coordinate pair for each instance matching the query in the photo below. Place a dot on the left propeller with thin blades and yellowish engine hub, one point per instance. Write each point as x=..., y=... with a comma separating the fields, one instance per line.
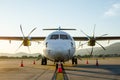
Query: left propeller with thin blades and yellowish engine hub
x=26, y=39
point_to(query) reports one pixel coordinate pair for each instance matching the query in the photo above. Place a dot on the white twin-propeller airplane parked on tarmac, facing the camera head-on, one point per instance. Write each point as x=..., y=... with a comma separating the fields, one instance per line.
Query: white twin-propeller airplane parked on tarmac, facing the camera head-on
x=58, y=46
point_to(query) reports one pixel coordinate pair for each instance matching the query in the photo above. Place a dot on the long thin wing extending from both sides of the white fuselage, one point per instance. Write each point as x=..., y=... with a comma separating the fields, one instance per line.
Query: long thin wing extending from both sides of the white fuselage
x=43, y=38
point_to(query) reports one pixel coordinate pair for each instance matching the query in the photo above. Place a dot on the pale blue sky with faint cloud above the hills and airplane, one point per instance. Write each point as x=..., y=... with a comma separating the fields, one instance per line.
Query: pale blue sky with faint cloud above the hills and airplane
x=78, y=14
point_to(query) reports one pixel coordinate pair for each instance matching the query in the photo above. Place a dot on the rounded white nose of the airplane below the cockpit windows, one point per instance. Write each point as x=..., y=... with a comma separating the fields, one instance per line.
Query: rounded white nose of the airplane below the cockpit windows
x=58, y=52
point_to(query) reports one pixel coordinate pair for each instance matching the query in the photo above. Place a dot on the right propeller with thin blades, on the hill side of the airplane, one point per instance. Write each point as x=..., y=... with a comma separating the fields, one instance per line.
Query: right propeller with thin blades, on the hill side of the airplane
x=92, y=40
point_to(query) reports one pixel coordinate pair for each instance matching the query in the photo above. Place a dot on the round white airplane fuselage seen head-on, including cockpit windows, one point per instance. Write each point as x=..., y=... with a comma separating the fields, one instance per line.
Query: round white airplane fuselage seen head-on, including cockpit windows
x=59, y=46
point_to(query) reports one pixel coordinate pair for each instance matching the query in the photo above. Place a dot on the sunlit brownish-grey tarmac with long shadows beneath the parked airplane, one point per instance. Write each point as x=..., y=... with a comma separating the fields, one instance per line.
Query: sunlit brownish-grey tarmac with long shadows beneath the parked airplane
x=107, y=69
